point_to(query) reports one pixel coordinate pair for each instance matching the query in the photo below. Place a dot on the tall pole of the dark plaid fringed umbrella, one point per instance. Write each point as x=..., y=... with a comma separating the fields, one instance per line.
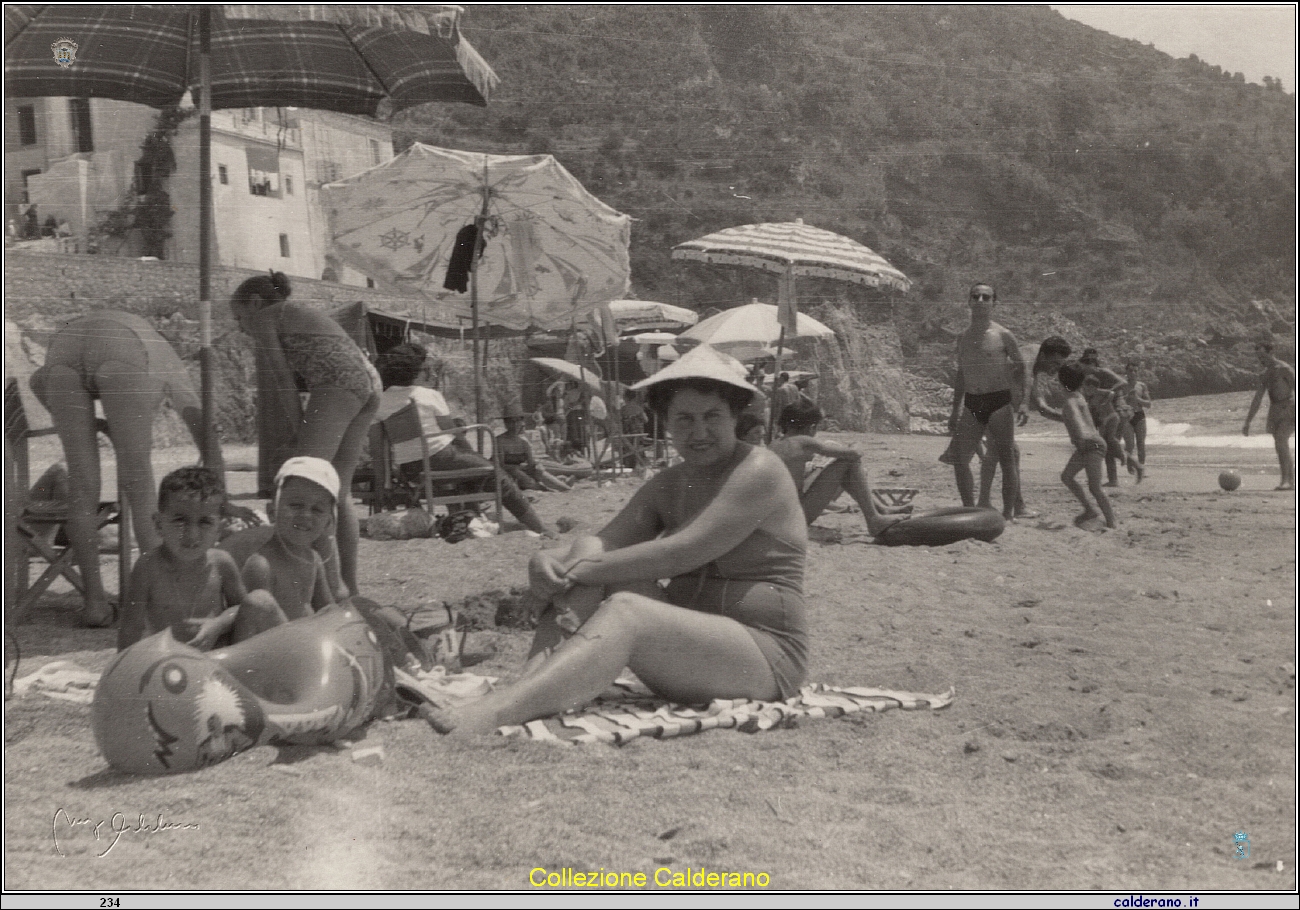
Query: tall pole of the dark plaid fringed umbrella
x=206, y=354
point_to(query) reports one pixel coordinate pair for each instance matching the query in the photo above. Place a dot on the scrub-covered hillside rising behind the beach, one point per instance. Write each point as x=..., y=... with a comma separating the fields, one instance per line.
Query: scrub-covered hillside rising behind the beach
x=1141, y=203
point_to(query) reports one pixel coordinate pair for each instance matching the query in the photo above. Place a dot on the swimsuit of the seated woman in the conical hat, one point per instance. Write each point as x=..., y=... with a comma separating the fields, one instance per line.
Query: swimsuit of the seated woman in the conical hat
x=760, y=584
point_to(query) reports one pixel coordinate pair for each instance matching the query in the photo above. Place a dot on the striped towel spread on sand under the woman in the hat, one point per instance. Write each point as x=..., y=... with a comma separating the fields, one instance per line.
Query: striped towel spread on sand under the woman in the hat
x=629, y=710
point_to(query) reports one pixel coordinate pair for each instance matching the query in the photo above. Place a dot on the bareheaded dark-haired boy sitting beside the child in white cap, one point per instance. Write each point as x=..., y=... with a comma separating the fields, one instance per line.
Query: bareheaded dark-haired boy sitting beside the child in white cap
x=185, y=582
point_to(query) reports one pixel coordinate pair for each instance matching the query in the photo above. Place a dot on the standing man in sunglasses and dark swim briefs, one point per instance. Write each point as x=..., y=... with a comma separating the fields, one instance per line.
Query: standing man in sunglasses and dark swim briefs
x=990, y=397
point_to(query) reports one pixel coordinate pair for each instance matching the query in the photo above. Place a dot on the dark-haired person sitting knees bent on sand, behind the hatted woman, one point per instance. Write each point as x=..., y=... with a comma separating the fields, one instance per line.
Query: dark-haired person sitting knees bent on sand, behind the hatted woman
x=846, y=474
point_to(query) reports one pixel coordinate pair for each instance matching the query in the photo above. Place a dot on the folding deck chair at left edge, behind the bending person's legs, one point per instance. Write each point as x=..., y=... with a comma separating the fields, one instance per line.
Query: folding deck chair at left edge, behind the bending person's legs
x=36, y=526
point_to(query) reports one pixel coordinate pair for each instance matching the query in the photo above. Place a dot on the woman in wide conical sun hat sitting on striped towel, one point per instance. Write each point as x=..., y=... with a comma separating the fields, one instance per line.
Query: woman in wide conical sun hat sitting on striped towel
x=725, y=527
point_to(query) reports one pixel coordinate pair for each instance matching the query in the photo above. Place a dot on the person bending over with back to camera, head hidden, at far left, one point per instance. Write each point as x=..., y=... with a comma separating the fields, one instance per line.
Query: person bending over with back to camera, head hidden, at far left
x=122, y=361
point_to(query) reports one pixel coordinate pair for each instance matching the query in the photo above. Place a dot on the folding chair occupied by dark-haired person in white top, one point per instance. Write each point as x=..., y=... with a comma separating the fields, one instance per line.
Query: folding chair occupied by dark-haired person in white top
x=452, y=489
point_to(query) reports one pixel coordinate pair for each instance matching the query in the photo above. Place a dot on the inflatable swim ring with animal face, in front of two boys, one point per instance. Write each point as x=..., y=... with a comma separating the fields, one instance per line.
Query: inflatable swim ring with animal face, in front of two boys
x=164, y=708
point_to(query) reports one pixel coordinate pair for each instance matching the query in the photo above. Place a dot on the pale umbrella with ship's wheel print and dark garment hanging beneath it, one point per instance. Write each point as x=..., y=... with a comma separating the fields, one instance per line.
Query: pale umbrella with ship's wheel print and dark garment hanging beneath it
x=551, y=252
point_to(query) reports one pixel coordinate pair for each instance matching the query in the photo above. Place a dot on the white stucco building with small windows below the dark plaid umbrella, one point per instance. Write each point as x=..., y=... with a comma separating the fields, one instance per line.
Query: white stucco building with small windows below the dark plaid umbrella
x=77, y=159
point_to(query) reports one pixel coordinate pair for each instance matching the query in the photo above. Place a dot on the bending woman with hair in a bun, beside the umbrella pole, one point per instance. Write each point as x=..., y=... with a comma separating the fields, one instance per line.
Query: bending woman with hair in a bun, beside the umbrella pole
x=301, y=349
